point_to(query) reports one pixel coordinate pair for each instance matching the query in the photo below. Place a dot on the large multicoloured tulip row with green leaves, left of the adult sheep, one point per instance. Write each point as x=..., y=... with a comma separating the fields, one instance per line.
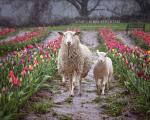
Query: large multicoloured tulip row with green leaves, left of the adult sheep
x=23, y=73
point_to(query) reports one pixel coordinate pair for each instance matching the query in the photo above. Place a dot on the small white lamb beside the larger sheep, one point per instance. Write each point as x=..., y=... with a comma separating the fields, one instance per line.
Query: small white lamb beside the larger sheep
x=103, y=71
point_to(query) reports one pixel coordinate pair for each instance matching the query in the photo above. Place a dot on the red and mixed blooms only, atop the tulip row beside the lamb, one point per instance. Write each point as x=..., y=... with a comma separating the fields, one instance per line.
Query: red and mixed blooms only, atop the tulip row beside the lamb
x=135, y=58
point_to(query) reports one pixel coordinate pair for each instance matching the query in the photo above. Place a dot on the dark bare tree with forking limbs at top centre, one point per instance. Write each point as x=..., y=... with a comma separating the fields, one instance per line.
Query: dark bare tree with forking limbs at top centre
x=82, y=6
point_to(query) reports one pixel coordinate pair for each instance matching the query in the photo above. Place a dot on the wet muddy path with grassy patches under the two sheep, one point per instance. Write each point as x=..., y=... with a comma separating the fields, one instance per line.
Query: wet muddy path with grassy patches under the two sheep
x=89, y=106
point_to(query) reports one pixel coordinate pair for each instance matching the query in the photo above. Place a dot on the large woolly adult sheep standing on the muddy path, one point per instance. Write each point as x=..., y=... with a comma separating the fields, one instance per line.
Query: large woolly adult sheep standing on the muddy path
x=74, y=60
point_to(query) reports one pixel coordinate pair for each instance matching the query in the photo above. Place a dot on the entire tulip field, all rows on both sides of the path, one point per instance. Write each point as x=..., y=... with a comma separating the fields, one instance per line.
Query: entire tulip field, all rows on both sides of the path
x=26, y=63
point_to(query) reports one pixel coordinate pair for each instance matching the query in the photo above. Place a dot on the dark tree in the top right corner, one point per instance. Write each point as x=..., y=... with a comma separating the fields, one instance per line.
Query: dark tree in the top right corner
x=144, y=5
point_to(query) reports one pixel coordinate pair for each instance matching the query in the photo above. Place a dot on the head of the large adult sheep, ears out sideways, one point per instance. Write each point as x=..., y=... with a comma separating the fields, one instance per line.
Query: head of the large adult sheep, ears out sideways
x=70, y=38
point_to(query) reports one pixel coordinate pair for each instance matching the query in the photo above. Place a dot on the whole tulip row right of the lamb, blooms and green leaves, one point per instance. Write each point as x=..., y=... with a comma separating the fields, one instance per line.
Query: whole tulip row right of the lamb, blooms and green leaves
x=132, y=64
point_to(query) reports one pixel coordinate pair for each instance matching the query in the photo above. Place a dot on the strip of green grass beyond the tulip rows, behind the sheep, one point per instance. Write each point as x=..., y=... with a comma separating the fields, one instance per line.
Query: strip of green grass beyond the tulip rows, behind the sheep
x=95, y=26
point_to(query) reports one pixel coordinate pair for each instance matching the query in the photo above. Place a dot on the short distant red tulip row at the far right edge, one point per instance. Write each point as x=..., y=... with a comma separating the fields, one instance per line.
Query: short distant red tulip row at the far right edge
x=141, y=38
